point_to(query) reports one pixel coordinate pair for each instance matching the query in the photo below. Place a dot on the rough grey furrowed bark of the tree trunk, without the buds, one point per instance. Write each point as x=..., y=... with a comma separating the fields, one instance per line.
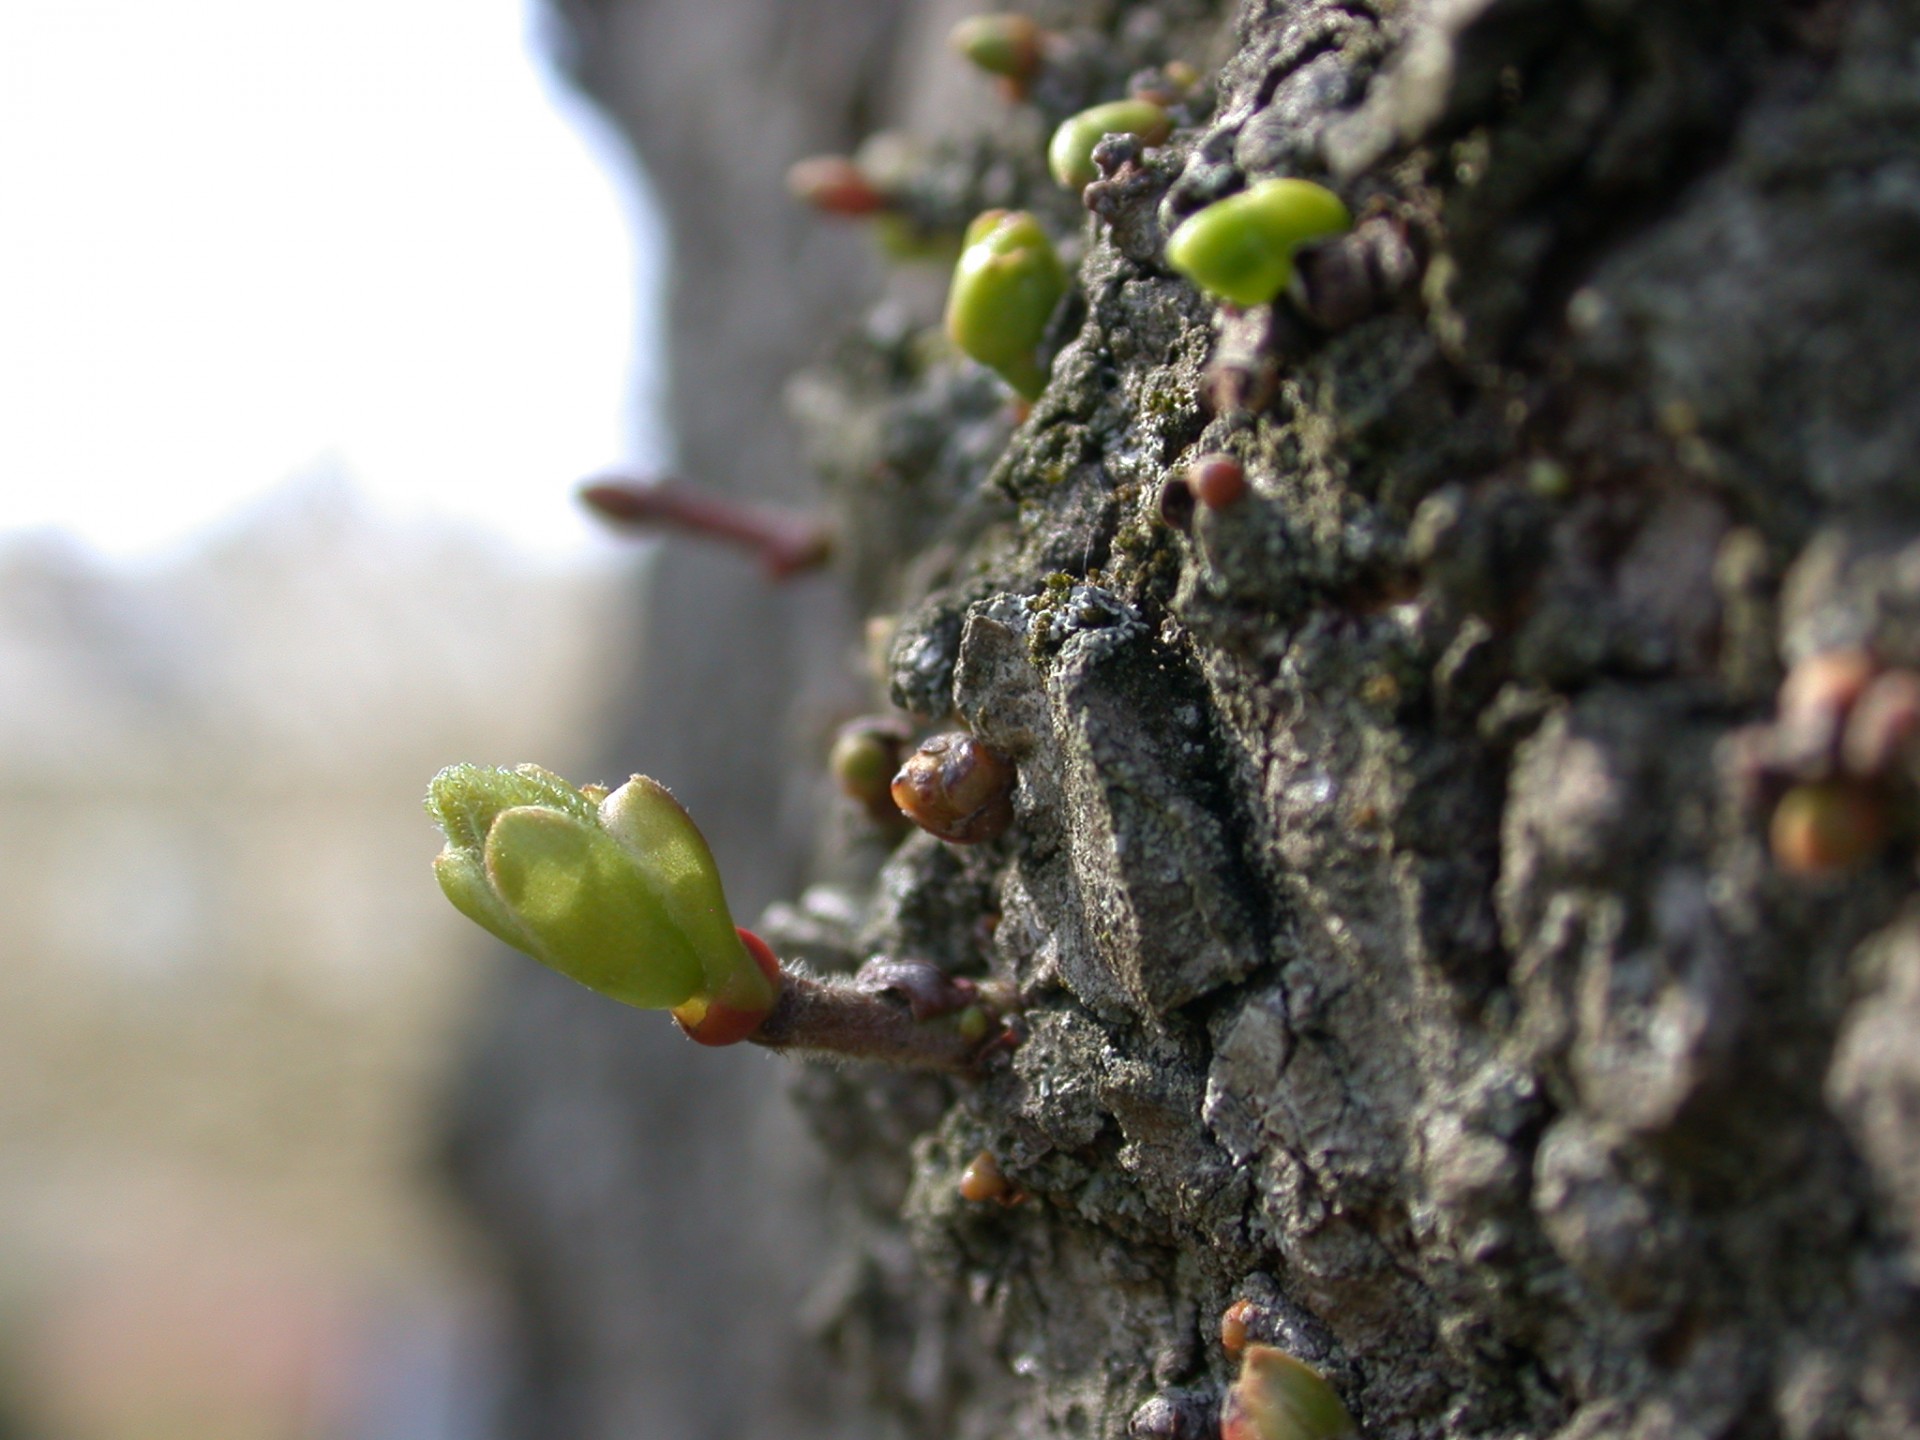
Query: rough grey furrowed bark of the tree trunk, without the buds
x=1393, y=907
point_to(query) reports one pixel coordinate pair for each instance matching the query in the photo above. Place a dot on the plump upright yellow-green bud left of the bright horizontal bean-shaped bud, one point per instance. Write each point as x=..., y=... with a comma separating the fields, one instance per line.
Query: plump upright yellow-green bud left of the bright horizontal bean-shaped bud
x=1005, y=291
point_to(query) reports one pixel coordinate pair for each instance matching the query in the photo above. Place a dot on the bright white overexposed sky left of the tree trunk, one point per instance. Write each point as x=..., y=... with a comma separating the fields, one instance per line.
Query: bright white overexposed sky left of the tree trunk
x=251, y=239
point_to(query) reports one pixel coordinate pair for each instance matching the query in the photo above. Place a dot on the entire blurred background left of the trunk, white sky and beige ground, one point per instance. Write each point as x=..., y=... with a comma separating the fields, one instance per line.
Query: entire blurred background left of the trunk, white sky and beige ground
x=310, y=316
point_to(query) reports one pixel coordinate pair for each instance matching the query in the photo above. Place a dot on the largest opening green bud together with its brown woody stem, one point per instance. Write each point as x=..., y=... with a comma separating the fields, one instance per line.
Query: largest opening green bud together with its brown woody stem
x=621, y=894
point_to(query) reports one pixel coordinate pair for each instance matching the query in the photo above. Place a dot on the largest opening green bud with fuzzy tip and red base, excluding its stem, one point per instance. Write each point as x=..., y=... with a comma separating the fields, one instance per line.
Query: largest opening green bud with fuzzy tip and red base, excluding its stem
x=621, y=896
